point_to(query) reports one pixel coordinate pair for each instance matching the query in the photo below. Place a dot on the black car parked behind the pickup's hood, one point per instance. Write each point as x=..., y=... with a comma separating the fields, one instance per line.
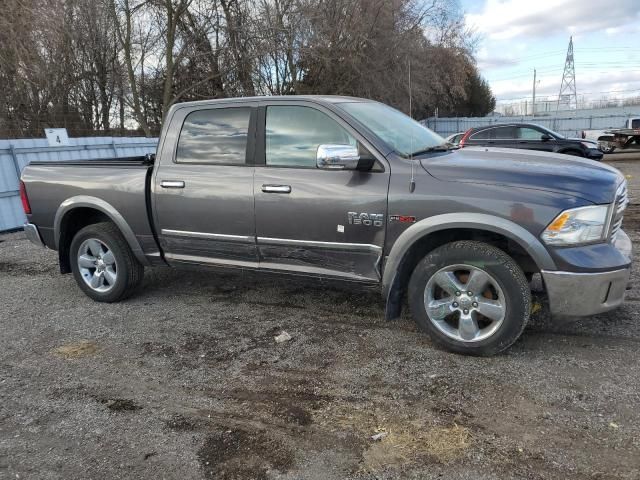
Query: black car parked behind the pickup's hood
x=531, y=137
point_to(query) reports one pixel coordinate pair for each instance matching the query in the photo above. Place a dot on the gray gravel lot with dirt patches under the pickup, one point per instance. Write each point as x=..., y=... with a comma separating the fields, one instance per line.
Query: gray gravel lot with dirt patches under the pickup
x=185, y=380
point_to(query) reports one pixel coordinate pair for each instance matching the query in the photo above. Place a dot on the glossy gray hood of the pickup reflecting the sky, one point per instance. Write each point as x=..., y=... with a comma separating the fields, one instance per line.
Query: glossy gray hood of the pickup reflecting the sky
x=574, y=176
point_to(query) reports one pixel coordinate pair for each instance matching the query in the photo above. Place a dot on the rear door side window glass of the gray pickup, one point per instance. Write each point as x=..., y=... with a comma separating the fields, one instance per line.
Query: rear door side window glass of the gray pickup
x=217, y=136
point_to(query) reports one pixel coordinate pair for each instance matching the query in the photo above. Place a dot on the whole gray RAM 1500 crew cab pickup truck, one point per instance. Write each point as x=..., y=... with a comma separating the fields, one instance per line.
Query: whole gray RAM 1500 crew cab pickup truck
x=349, y=189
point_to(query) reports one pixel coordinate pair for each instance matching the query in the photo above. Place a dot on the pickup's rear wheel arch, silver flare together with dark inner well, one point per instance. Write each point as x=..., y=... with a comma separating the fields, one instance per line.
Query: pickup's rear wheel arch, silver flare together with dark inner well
x=78, y=212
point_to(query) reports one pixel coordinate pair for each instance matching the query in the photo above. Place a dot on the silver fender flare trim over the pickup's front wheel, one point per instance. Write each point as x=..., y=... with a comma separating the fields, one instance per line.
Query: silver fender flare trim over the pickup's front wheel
x=476, y=221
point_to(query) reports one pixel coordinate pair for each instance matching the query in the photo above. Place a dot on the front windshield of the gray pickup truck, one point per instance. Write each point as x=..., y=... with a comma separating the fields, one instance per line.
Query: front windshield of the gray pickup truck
x=400, y=132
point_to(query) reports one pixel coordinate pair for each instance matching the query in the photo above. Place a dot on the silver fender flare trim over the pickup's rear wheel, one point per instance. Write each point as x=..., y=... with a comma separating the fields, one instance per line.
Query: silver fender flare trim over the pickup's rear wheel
x=95, y=203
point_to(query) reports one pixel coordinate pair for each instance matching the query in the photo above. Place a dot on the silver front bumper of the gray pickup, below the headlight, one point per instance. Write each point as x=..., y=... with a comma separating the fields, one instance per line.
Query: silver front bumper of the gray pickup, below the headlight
x=574, y=294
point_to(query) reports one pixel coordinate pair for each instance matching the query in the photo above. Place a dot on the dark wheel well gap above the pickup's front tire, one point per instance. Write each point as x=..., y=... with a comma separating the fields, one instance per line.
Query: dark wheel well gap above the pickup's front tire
x=429, y=242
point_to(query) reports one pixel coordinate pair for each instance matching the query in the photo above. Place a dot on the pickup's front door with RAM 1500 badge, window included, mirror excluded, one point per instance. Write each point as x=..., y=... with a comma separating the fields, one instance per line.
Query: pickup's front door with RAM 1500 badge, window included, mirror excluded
x=310, y=220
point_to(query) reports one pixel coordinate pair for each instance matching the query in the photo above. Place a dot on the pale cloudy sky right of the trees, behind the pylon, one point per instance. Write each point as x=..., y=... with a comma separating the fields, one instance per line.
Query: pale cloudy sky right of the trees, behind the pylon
x=520, y=35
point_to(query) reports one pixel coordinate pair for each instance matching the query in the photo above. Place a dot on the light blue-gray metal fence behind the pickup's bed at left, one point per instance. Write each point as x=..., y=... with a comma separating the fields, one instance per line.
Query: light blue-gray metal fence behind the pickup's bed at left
x=16, y=154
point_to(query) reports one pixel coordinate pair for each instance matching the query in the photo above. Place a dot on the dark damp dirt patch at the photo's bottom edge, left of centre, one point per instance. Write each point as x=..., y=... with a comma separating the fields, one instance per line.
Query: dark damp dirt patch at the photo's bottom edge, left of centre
x=239, y=454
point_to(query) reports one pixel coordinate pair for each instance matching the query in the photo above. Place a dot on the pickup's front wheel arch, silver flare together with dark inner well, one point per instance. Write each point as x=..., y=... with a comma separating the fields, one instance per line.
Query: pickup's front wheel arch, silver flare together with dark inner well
x=430, y=233
